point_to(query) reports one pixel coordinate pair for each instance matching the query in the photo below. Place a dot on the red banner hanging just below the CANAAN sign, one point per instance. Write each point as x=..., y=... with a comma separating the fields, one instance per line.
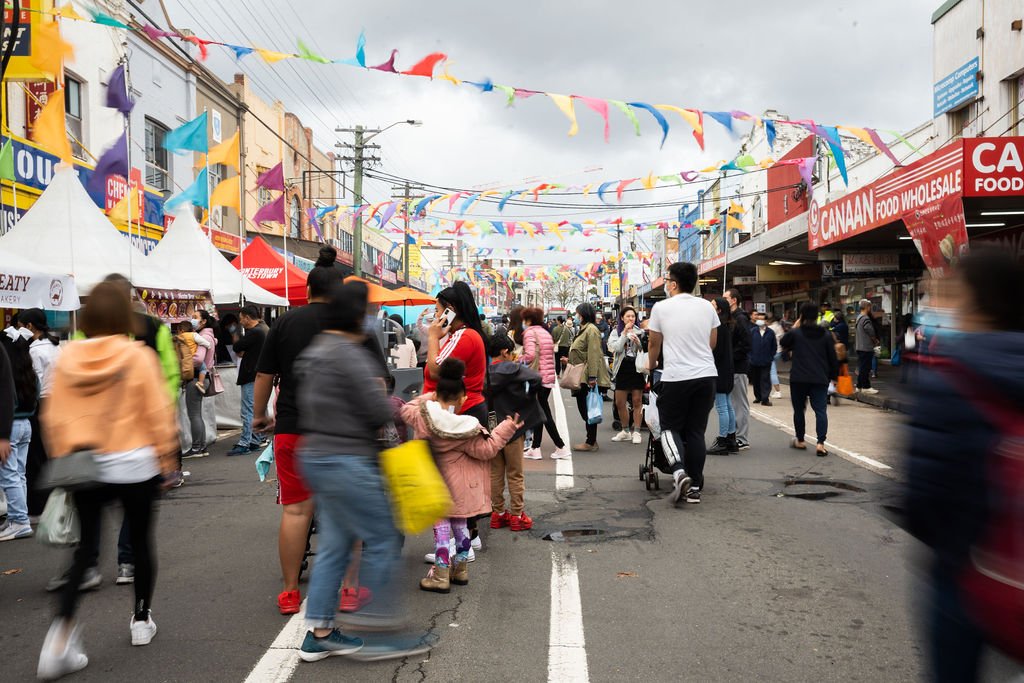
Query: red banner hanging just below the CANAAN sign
x=940, y=233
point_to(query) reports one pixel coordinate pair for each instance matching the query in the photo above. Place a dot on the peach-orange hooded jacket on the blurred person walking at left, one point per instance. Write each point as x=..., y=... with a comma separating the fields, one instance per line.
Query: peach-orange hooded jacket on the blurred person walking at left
x=108, y=395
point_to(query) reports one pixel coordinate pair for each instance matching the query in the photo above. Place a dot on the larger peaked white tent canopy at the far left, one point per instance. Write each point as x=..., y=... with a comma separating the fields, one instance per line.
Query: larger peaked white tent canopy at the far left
x=66, y=233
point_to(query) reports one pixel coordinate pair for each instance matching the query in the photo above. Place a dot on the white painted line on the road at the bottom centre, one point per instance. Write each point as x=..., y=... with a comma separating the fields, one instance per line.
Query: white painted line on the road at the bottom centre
x=567, y=648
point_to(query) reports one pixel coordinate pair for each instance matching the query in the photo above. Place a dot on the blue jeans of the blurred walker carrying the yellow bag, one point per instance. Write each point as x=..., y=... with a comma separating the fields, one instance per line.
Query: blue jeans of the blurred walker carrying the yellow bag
x=352, y=505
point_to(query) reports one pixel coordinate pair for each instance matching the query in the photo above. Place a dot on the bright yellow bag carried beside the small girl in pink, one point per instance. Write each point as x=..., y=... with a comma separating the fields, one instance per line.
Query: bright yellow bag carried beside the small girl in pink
x=419, y=495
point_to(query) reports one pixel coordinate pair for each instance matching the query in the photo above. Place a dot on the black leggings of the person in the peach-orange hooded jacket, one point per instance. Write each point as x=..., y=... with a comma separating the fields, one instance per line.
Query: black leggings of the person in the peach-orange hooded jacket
x=138, y=500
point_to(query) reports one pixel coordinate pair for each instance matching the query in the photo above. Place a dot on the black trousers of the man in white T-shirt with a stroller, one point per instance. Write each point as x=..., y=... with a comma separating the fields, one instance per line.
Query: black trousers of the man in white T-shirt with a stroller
x=684, y=409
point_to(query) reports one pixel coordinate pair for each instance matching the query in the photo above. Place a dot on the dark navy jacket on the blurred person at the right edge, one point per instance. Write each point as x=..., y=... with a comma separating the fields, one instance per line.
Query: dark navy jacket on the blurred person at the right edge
x=949, y=493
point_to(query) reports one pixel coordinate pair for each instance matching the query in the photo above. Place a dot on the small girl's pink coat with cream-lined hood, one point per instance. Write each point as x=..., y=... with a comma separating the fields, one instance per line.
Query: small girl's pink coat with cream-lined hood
x=462, y=450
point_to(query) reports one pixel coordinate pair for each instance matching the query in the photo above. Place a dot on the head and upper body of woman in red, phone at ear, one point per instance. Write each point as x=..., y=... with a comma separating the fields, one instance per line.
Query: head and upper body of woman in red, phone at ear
x=456, y=333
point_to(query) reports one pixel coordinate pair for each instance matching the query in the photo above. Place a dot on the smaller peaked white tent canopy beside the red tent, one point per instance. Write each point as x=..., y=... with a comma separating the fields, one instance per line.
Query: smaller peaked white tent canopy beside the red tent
x=187, y=252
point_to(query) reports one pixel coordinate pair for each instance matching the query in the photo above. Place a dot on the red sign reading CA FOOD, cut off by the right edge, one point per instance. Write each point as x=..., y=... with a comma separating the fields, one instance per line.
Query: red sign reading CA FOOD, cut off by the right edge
x=994, y=166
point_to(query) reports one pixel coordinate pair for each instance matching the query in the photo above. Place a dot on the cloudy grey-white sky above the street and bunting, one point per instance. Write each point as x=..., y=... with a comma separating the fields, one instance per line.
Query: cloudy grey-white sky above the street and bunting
x=864, y=63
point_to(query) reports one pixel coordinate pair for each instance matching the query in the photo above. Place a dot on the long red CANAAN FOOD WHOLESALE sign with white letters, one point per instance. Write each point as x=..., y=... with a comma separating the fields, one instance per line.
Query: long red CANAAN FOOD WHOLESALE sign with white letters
x=933, y=179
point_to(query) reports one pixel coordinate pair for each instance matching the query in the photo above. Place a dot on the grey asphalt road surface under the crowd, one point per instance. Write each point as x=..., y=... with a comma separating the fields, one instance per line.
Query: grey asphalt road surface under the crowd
x=793, y=569
